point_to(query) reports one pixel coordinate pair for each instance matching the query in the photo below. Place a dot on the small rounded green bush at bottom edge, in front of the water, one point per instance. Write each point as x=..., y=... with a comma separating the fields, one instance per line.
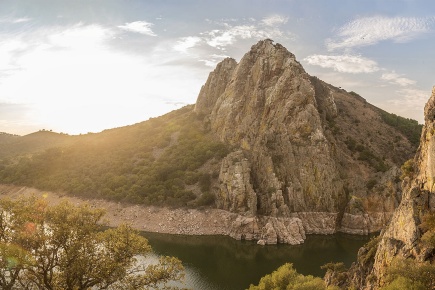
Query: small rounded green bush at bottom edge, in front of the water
x=286, y=278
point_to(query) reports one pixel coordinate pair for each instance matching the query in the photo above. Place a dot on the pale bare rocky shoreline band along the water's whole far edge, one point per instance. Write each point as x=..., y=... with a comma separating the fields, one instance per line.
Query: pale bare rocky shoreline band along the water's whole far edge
x=264, y=229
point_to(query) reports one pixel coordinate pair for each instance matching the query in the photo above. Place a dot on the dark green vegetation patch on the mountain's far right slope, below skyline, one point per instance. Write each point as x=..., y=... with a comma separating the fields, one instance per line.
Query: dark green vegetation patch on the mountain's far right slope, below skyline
x=408, y=127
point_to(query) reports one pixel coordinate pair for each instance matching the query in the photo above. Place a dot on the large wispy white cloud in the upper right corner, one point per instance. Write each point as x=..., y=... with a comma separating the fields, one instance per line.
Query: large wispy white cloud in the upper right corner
x=371, y=30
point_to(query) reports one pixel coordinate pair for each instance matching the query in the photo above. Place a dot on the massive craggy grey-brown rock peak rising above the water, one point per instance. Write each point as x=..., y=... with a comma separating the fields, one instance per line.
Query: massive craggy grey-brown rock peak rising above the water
x=304, y=149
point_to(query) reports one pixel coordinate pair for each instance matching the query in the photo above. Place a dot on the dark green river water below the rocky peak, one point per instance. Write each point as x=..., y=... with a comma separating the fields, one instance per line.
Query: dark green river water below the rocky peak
x=222, y=263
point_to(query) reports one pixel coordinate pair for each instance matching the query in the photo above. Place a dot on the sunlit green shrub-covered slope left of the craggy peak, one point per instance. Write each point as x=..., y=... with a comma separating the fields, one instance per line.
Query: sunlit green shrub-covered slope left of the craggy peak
x=154, y=162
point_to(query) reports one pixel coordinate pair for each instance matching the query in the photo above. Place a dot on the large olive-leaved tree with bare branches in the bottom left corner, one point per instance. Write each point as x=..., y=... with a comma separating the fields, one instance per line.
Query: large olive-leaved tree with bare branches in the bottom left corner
x=65, y=247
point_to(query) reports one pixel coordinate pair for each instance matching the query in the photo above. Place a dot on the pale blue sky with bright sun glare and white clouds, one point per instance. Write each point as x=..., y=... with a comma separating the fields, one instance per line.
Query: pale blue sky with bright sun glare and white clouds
x=80, y=66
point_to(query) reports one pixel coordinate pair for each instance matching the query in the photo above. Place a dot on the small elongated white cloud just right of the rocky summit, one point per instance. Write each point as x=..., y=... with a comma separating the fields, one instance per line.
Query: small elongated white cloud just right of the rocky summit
x=344, y=63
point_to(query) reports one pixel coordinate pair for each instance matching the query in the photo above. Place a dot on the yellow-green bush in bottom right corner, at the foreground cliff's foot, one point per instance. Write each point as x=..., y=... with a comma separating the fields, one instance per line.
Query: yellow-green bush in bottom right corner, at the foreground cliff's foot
x=410, y=274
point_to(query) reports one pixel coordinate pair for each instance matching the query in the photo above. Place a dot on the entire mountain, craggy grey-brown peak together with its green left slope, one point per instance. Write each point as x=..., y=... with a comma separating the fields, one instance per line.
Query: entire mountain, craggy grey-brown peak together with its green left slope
x=287, y=152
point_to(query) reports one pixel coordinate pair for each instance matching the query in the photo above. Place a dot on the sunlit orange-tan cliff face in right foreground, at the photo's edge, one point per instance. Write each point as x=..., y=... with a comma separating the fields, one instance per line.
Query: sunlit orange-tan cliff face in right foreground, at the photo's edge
x=401, y=238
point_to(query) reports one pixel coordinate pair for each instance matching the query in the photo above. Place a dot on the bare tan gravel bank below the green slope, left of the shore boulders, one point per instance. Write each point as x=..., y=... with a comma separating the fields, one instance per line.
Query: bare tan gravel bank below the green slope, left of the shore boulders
x=143, y=218
